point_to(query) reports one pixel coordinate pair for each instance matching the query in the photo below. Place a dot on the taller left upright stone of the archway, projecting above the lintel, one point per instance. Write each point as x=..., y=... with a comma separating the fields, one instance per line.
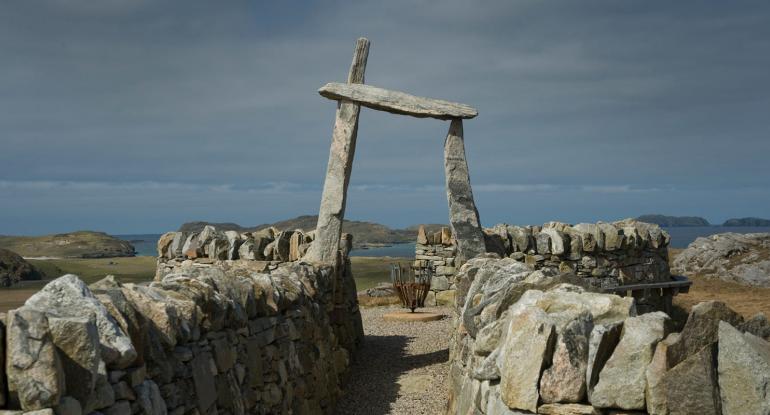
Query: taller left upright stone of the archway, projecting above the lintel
x=329, y=229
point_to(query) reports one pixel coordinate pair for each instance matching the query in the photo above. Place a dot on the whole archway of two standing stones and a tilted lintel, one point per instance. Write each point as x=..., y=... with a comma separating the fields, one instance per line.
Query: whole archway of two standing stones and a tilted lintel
x=350, y=97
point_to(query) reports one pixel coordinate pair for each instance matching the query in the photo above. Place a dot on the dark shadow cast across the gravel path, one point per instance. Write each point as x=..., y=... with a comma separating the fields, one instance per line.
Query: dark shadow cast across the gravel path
x=372, y=385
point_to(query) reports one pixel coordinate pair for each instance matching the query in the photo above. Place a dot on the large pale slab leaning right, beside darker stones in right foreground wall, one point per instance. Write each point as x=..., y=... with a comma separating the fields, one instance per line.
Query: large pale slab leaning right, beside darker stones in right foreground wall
x=622, y=382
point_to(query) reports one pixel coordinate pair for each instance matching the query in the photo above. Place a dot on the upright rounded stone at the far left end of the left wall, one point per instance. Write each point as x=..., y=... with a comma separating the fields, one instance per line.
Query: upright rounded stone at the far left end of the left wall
x=35, y=375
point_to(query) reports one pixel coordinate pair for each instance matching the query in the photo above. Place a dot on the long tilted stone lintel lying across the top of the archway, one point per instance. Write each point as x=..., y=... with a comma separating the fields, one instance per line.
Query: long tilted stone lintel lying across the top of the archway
x=397, y=102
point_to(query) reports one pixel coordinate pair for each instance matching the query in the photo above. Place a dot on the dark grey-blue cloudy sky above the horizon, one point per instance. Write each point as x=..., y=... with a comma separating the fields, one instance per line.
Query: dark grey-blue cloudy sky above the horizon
x=133, y=116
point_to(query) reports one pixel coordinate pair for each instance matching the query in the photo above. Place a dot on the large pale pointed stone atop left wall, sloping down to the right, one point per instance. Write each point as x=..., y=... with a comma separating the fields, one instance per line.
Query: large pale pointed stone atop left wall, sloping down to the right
x=69, y=296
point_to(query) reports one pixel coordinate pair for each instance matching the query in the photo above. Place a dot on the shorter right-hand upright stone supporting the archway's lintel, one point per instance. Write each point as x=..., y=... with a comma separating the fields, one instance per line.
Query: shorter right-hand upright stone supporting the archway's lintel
x=463, y=216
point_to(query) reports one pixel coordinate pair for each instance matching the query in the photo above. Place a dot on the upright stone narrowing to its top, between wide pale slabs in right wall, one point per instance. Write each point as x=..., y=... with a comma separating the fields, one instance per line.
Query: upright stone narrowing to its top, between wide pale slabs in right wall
x=565, y=380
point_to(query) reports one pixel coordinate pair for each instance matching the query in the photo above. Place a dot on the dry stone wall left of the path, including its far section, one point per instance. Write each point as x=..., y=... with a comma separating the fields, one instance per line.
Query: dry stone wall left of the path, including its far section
x=217, y=336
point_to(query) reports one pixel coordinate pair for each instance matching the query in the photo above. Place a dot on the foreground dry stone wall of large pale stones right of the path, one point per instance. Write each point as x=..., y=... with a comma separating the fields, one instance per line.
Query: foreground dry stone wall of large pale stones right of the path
x=526, y=342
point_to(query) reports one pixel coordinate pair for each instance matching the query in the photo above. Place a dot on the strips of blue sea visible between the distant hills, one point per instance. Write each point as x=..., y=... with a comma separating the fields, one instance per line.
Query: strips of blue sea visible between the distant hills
x=145, y=244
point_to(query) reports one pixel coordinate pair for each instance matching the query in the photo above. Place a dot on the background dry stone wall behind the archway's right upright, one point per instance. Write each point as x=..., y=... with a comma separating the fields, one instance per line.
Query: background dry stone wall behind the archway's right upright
x=602, y=255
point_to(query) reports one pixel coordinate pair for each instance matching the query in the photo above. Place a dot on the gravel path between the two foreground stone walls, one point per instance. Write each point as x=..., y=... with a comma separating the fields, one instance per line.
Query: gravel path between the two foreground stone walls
x=401, y=368
